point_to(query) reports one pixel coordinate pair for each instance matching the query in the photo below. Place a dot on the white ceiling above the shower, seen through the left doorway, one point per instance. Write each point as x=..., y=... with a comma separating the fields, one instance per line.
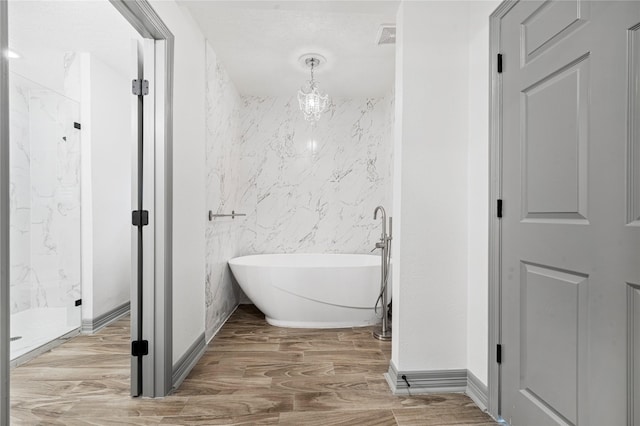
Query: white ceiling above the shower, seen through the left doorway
x=38, y=28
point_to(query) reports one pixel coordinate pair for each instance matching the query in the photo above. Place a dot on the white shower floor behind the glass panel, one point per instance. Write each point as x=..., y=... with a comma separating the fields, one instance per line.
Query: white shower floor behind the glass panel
x=36, y=328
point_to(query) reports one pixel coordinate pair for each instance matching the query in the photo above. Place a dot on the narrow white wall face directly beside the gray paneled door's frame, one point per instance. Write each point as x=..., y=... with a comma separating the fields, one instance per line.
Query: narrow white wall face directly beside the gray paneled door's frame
x=478, y=188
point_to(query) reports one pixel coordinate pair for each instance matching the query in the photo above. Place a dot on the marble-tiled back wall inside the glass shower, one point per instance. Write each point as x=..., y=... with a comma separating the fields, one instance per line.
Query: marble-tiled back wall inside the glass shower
x=55, y=199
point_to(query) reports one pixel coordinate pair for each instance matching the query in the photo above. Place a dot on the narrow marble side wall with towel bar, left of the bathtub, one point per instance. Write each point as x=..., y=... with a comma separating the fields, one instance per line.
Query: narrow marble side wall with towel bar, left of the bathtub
x=222, y=157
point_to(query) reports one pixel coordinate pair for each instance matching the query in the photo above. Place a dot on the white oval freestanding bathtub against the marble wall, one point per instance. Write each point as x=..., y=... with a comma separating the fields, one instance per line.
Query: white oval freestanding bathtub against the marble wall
x=311, y=290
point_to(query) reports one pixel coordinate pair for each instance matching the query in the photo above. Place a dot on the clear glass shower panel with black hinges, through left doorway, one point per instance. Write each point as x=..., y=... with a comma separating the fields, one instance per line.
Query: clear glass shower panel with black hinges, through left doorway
x=44, y=215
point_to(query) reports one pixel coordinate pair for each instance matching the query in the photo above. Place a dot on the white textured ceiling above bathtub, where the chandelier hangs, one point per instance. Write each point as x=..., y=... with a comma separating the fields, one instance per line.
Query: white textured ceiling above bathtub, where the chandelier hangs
x=259, y=44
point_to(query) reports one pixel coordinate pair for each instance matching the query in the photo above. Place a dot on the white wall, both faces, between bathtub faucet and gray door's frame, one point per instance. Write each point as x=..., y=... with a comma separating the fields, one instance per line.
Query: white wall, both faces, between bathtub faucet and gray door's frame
x=441, y=186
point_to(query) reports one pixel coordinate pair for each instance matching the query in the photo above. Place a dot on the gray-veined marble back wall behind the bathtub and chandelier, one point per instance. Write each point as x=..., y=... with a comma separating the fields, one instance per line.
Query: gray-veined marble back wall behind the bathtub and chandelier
x=313, y=188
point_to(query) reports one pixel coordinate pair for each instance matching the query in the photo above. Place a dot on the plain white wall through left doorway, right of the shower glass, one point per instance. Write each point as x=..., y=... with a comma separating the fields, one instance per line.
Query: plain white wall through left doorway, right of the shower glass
x=107, y=133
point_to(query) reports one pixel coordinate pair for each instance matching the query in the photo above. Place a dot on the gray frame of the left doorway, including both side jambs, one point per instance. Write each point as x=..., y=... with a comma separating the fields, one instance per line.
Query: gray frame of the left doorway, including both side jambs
x=158, y=367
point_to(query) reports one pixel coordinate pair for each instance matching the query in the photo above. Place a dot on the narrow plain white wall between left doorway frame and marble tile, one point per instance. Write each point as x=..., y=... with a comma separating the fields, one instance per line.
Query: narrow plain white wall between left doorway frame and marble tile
x=189, y=209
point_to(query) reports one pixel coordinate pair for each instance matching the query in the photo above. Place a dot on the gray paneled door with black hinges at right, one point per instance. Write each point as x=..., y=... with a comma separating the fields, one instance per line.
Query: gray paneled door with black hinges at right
x=570, y=249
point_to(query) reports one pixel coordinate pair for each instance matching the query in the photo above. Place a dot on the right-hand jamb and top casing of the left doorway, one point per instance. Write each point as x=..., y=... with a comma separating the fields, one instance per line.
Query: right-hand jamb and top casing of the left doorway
x=157, y=367
